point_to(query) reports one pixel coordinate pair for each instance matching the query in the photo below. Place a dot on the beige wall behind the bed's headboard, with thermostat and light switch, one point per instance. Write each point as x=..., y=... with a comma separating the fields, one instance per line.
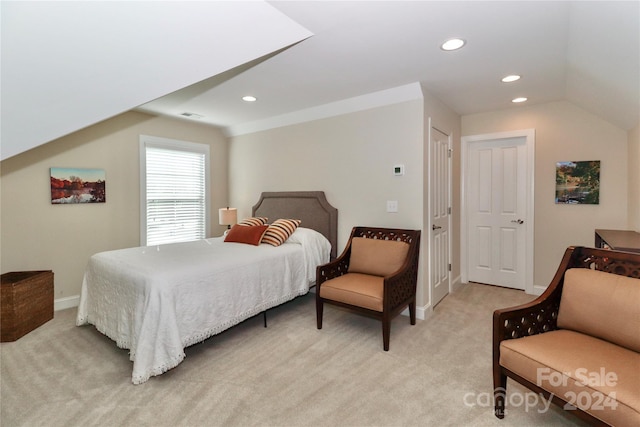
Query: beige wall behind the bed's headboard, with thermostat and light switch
x=350, y=157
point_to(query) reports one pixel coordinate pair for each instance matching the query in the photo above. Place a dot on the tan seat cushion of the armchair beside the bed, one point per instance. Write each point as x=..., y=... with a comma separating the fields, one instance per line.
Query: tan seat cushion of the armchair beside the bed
x=362, y=290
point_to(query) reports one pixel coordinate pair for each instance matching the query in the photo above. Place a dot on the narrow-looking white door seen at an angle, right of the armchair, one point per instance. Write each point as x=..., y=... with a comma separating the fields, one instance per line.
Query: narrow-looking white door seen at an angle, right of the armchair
x=440, y=213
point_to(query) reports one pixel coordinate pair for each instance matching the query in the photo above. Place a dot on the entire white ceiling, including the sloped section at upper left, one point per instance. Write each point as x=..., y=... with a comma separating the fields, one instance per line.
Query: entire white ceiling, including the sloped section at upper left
x=66, y=65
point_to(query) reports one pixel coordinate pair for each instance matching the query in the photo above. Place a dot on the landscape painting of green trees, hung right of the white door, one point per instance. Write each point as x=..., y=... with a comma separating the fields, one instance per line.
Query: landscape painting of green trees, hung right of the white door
x=578, y=183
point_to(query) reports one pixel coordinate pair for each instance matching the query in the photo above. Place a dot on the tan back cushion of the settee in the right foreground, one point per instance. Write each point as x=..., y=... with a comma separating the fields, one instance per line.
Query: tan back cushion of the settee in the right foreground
x=604, y=305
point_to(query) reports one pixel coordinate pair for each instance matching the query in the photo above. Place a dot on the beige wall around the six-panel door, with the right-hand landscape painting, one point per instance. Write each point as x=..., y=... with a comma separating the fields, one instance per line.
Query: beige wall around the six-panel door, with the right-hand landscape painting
x=565, y=132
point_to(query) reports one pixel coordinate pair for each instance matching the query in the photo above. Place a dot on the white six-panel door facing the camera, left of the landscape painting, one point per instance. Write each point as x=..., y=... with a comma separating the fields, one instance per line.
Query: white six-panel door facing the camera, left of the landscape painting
x=496, y=211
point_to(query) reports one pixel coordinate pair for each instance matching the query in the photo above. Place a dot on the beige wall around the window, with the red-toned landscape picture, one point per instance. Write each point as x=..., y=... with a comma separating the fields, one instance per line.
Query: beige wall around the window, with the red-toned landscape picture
x=38, y=235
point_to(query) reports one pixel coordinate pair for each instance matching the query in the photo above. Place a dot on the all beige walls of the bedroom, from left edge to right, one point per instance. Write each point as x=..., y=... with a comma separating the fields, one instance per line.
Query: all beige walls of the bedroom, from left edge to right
x=350, y=157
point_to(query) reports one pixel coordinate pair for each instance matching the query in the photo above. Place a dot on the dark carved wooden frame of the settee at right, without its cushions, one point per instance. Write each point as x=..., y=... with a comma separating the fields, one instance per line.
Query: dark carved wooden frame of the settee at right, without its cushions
x=540, y=316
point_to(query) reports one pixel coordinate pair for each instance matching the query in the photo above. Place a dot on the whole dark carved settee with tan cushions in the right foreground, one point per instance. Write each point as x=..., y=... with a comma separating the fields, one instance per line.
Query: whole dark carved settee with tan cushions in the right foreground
x=577, y=344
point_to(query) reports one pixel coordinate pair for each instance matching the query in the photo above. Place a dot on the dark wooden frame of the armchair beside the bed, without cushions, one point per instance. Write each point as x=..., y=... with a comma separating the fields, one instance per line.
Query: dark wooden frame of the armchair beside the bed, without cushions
x=399, y=288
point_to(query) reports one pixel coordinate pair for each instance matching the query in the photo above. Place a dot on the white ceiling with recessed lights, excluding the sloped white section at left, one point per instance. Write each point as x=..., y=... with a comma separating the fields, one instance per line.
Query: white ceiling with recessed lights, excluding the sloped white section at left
x=585, y=52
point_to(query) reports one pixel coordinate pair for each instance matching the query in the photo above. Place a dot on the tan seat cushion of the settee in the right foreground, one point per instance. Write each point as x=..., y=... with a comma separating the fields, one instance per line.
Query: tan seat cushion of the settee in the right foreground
x=566, y=359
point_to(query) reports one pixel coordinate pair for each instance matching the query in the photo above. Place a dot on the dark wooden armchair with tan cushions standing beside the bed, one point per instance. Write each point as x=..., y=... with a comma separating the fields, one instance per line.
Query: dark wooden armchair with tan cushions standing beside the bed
x=375, y=275
